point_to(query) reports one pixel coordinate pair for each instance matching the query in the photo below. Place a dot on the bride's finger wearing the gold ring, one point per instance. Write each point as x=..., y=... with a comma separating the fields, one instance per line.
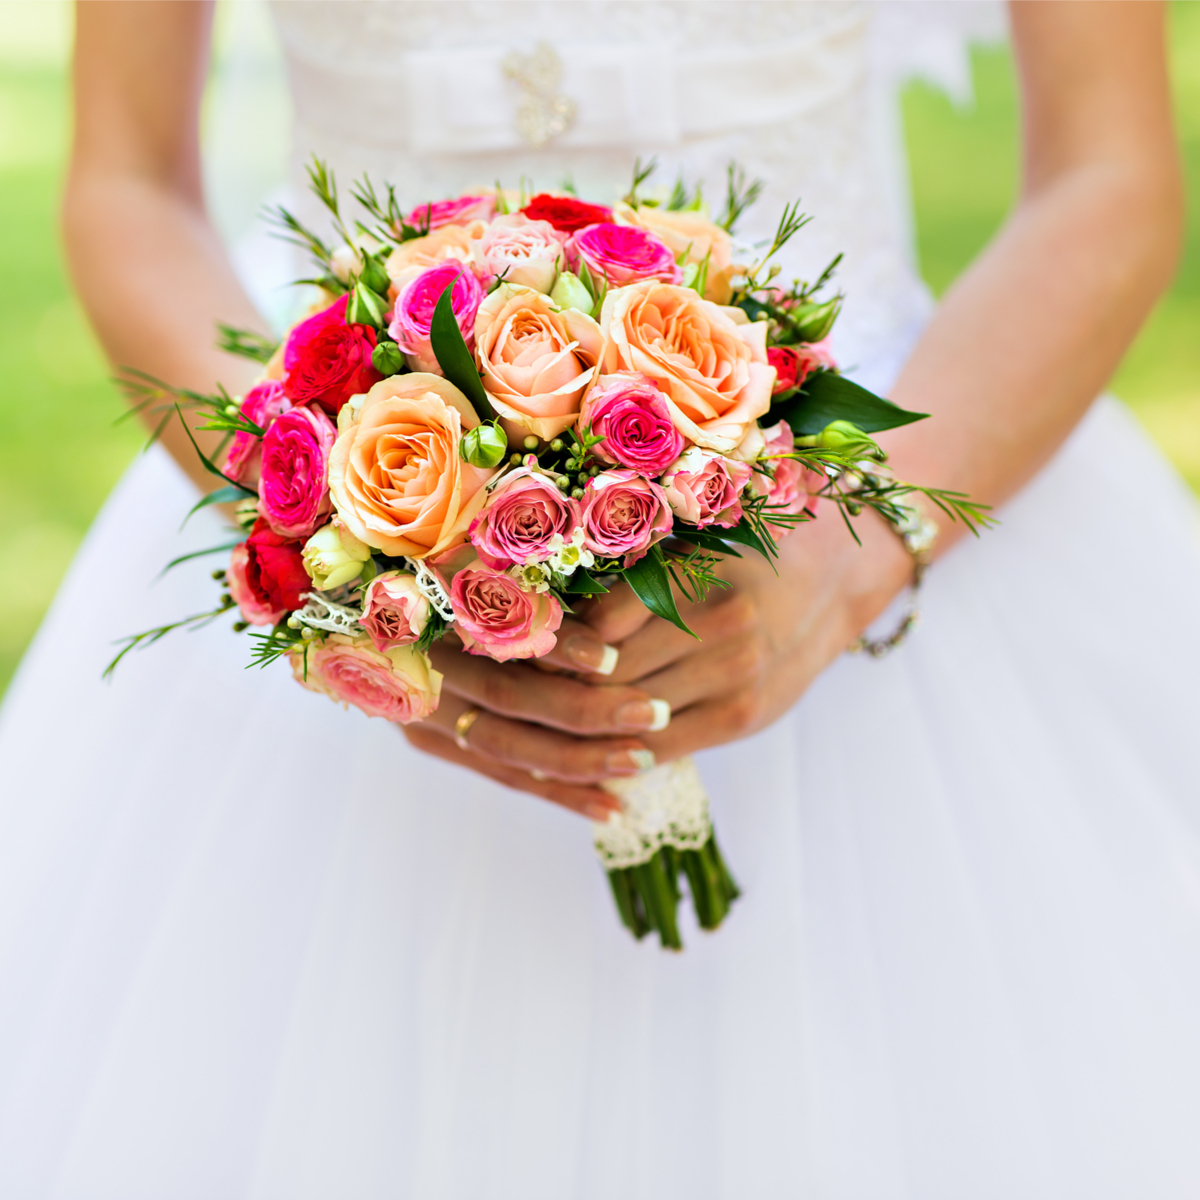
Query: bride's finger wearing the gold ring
x=538, y=751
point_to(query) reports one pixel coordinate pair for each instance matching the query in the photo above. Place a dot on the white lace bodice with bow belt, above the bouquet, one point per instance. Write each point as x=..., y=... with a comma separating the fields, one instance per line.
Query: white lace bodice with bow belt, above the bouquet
x=417, y=93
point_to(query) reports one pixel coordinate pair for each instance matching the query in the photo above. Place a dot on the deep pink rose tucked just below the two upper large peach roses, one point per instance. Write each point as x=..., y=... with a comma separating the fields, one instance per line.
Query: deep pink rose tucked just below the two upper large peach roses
x=633, y=418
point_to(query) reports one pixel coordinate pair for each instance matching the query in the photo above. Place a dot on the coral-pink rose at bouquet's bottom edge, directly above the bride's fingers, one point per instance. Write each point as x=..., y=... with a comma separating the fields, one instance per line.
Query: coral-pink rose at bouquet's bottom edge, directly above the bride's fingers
x=494, y=616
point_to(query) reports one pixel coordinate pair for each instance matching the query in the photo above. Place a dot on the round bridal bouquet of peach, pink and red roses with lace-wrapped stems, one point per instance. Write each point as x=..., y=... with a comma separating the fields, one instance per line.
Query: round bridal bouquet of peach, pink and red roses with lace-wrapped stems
x=502, y=405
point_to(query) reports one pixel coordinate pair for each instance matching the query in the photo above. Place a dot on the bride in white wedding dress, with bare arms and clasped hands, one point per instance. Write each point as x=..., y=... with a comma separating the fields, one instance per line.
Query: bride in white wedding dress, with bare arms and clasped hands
x=255, y=946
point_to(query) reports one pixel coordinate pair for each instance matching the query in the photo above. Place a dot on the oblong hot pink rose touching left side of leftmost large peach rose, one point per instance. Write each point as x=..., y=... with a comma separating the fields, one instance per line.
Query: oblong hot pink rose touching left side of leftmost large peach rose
x=293, y=494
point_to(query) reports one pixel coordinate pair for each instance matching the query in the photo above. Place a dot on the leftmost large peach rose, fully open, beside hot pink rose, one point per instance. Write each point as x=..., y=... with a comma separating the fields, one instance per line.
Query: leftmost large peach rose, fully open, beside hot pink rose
x=395, y=476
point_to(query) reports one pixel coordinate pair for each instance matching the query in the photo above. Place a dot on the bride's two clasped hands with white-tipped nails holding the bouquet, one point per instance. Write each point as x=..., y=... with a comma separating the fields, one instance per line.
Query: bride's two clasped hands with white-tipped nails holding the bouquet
x=760, y=644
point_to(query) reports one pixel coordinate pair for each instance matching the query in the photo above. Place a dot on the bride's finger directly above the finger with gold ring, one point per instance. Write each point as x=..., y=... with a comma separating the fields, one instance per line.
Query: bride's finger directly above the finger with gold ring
x=559, y=703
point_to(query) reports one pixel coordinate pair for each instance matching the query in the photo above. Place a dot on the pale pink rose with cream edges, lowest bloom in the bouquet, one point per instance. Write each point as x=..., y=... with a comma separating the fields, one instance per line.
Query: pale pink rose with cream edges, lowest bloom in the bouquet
x=399, y=685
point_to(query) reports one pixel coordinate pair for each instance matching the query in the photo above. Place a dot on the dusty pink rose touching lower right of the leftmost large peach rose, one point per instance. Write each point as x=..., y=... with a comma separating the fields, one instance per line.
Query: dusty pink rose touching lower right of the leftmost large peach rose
x=521, y=518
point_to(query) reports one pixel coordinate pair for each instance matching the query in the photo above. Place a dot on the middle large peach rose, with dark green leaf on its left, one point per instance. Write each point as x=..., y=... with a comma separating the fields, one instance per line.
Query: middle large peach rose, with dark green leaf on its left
x=537, y=362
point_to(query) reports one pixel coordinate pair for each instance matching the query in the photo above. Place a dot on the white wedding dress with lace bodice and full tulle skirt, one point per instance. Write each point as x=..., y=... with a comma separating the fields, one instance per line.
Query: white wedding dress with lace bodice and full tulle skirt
x=254, y=946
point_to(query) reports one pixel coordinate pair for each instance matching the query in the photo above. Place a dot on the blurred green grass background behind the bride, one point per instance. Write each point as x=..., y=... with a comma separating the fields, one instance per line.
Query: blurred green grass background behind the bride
x=55, y=387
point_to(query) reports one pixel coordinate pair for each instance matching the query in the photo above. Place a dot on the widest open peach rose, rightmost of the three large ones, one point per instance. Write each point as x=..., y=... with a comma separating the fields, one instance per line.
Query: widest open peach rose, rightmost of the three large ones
x=710, y=363
